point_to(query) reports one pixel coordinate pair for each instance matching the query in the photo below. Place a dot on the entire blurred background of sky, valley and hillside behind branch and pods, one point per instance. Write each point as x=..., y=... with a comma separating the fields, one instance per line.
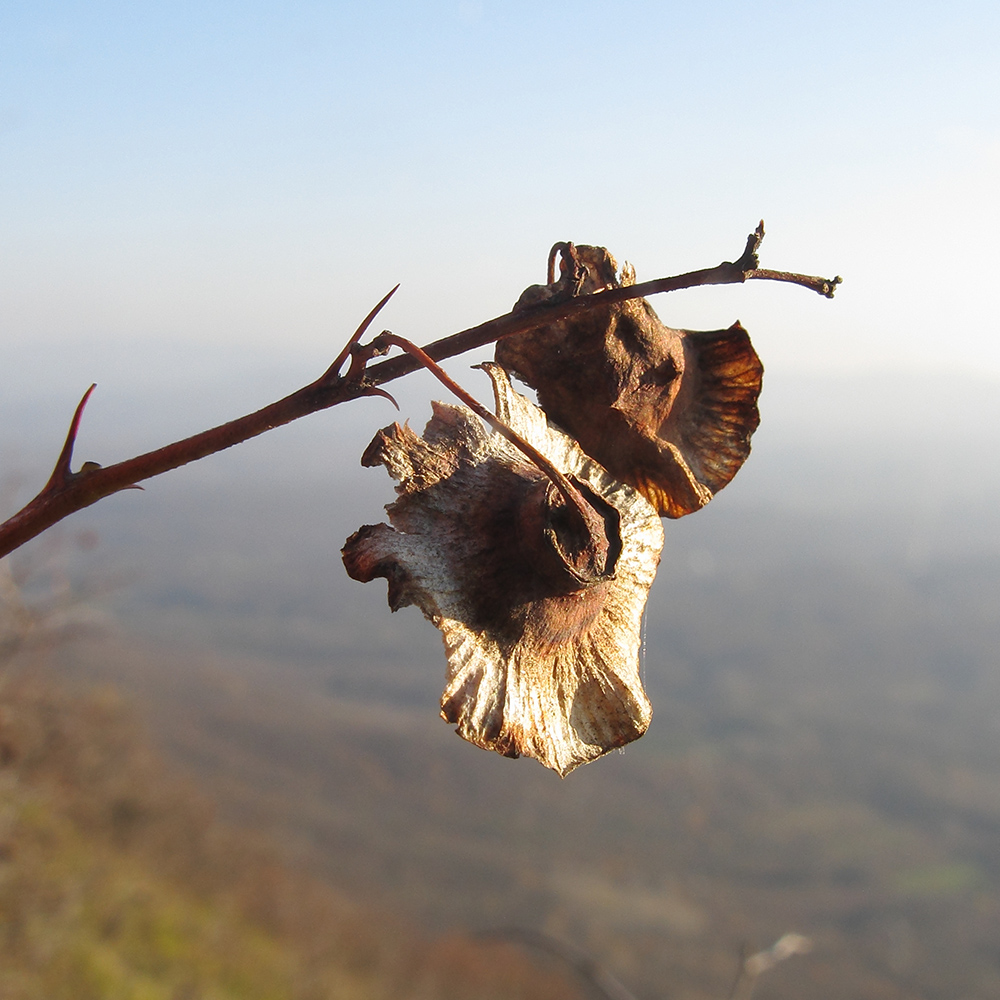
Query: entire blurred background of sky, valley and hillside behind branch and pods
x=200, y=203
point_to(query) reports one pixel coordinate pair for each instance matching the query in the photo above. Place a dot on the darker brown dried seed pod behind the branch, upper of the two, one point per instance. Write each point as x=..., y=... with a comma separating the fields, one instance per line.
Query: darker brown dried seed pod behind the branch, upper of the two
x=669, y=411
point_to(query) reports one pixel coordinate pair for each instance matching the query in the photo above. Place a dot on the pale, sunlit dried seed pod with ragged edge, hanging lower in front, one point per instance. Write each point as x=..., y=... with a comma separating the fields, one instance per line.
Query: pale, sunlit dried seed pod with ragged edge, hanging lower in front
x=540, y=624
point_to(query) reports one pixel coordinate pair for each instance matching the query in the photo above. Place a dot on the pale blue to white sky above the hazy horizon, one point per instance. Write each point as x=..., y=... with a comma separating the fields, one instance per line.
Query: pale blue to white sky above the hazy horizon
x=201, y=200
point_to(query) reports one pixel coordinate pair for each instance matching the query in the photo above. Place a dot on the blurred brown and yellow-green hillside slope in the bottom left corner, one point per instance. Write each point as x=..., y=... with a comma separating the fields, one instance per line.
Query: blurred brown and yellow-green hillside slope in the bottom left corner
x=117, y=881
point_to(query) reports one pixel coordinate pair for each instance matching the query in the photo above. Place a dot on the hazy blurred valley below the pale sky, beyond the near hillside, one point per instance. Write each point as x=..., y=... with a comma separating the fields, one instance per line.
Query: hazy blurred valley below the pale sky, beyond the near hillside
x=820, y=650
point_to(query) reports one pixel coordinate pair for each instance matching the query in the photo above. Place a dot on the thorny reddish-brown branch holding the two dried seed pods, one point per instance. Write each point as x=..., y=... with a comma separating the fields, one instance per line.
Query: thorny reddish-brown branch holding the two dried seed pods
x=67, y=491
